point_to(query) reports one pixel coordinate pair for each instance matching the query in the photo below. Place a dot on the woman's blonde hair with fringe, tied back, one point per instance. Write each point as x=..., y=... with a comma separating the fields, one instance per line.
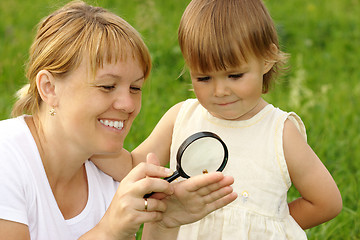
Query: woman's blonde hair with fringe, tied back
x=69, y=34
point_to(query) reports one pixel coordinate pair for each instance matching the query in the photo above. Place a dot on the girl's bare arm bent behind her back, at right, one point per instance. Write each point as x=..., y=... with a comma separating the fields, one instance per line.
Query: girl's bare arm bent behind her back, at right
x=320, y=197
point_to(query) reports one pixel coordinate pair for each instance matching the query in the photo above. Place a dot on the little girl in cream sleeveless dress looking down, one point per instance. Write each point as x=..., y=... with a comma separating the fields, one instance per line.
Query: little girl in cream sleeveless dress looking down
x=231, y=49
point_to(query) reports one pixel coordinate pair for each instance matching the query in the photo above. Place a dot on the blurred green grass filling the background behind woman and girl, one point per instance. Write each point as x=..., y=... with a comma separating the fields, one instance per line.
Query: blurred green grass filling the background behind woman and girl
x=323, y=85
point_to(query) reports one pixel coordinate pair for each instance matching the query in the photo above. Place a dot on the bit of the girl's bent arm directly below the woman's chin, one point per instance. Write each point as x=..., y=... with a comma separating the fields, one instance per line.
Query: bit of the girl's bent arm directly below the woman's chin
x=115, y=165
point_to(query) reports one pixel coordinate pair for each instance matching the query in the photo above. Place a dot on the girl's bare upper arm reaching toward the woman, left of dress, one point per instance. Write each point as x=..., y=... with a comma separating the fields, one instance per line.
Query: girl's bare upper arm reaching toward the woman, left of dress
x=159, y=141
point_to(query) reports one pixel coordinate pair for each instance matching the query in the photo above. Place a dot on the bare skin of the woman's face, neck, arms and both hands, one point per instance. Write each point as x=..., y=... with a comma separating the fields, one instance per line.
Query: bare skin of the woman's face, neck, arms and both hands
x=83, y=105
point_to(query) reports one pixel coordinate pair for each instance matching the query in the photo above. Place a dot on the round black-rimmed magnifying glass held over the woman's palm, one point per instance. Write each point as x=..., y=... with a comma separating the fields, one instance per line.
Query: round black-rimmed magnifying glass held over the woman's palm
x=201, y=153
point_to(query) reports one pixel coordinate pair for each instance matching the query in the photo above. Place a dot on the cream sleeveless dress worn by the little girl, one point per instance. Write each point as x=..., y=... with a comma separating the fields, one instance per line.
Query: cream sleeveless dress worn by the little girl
x=257, y=163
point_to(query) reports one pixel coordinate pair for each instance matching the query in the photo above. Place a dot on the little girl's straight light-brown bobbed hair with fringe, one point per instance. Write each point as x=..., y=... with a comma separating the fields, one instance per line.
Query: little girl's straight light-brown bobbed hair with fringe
x=221, y=34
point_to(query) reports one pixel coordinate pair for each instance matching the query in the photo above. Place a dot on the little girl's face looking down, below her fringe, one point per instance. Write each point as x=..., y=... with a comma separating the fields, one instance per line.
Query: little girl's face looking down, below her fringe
x=233, y=94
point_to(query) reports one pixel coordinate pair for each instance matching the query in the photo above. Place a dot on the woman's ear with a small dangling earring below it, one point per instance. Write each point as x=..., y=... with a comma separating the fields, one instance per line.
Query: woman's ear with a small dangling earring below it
x=45, y=83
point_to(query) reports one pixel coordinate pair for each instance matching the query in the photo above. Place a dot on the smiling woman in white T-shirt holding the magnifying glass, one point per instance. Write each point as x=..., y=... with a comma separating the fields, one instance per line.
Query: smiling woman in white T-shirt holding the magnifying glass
x=85, y=71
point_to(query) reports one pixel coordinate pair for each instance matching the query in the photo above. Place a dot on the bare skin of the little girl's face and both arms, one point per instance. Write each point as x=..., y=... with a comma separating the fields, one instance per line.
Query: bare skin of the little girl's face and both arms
x=236, y=94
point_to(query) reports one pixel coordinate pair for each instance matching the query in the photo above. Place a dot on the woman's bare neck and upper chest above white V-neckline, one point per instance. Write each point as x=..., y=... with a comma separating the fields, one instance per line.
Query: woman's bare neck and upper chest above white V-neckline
x=67, y=177
